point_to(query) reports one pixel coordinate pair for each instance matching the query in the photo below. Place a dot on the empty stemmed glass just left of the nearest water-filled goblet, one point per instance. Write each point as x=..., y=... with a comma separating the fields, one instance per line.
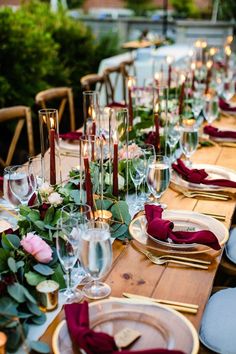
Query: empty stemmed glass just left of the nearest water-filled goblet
x=67, y=245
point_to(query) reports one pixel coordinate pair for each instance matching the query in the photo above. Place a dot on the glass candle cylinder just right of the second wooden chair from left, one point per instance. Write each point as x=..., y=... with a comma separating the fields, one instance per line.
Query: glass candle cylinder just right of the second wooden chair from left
x=91, y=112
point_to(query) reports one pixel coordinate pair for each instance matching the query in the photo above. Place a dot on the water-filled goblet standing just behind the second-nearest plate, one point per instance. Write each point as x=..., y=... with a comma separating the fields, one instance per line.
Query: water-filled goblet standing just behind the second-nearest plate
x=158, y=176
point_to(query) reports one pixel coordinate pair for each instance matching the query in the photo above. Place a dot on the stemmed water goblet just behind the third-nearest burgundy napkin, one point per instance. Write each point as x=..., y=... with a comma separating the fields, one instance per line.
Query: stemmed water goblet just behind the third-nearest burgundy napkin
x=189, y=141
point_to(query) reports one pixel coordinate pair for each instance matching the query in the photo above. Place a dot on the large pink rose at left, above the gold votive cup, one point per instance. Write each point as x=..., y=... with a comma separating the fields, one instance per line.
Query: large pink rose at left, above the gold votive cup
x=37, y=247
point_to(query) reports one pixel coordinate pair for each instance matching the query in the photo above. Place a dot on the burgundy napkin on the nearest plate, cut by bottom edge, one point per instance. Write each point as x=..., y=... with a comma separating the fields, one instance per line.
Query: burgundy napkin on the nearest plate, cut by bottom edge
x=77, y=317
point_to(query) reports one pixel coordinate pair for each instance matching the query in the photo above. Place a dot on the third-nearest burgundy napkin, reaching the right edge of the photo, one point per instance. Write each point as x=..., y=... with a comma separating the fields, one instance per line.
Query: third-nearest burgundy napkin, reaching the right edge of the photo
x=200, y=176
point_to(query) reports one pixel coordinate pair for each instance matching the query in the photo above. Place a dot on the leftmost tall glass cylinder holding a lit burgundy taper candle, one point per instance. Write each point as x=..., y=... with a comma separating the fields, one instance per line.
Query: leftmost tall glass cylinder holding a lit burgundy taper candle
x=50, y=151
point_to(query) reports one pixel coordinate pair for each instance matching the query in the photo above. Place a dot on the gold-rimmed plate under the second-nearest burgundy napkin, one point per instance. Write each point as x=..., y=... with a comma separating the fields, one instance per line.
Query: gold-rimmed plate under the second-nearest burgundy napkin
x=183, y=220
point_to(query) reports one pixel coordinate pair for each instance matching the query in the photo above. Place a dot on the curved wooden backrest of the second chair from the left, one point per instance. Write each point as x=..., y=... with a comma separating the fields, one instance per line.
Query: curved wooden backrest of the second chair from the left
x=63, y=95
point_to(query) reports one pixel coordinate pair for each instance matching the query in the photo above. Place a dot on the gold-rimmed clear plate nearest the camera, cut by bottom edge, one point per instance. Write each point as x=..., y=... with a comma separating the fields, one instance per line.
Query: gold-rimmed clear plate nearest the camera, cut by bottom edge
x=161, y=327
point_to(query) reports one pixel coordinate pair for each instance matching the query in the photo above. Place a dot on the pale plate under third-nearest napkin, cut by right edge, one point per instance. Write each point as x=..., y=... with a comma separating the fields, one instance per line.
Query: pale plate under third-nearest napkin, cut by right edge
x=214, y=172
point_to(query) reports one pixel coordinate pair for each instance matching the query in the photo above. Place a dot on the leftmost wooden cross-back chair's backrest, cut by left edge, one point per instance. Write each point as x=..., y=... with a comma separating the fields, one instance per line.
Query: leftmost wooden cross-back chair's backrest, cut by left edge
x=20, y=115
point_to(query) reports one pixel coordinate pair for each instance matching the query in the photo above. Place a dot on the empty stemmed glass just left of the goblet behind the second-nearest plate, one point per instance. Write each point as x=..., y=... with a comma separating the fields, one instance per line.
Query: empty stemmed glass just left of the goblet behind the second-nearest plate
x=137, y=173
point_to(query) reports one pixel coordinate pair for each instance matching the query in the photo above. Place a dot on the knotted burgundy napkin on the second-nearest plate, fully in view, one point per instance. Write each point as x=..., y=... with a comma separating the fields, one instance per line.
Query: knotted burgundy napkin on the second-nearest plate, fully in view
x=163, y=229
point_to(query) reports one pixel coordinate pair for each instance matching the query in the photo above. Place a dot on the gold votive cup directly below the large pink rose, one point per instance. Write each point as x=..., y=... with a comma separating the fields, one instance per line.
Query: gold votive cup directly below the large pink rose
x=48, y=294
